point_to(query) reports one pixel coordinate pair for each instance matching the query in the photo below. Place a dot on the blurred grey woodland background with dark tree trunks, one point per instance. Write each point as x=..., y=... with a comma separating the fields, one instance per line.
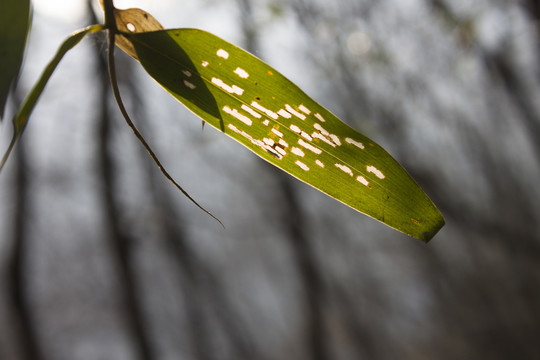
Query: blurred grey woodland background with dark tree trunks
x=101, y=258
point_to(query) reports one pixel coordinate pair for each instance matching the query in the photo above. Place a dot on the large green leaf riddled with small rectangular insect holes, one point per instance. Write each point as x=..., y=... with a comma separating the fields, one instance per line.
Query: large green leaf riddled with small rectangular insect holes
x=257, y=106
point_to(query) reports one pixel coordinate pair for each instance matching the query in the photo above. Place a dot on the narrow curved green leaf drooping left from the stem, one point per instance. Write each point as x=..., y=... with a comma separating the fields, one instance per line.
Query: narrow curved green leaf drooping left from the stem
x=21, y=118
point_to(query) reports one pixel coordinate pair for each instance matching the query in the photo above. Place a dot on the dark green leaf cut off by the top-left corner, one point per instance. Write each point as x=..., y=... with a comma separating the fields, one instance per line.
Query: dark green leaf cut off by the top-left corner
x=15, y=18
